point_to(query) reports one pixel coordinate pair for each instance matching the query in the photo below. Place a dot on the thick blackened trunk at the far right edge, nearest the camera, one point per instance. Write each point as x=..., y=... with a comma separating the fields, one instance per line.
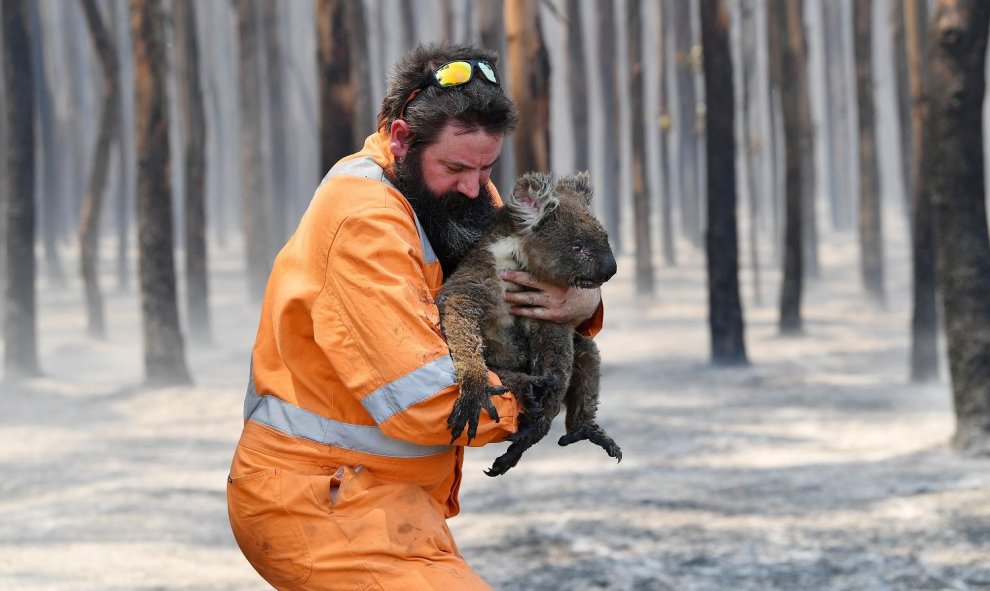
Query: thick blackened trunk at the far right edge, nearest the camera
x=957, y=56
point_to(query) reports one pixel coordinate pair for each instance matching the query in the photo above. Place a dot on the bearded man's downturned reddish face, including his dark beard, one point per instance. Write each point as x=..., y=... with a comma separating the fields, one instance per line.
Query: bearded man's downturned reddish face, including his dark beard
x=445, y=183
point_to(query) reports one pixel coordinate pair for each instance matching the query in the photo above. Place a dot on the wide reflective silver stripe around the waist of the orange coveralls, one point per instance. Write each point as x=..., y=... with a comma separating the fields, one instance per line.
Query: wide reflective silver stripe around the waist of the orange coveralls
x=292, y=420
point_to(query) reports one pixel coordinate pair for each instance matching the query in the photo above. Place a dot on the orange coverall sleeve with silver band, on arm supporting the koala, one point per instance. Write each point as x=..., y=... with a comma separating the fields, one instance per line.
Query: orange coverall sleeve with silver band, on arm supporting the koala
x=377, y=299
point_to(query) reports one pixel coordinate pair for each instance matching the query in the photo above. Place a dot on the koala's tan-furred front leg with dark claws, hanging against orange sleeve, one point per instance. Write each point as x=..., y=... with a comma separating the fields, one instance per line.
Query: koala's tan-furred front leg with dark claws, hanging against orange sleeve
x=461, y=316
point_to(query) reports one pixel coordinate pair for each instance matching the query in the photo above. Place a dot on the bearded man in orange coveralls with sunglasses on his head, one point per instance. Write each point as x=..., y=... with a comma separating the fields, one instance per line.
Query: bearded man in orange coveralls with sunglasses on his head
x=344, y=474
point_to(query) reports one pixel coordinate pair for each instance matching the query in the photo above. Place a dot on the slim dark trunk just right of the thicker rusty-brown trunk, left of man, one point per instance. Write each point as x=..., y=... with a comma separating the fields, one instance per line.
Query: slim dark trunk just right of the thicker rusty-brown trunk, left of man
x=194, y=132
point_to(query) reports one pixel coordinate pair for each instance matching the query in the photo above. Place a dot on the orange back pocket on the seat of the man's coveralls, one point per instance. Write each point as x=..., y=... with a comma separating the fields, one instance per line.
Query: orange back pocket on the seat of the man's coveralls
x=268, y=535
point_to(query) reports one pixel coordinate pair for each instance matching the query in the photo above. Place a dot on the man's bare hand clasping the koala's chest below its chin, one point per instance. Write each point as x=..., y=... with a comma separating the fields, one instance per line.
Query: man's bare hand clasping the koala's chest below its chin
x=549, y=301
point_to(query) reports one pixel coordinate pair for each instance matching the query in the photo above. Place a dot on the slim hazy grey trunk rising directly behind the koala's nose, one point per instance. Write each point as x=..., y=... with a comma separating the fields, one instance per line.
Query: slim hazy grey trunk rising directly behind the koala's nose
x=609, y=183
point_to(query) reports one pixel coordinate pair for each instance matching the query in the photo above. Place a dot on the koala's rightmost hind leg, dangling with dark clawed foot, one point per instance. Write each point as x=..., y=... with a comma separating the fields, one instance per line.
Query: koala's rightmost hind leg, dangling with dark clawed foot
x=582, y=399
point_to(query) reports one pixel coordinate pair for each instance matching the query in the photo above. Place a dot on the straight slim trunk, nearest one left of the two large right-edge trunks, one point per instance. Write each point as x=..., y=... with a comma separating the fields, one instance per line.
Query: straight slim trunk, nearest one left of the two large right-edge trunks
x=870, y=228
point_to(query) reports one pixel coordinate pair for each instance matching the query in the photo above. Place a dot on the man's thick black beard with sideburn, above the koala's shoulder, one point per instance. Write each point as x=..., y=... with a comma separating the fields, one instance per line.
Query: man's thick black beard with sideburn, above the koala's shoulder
x=453, y=222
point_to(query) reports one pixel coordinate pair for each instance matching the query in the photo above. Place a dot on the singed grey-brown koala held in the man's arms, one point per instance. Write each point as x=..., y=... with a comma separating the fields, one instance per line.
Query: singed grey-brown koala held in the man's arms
x=547, y=229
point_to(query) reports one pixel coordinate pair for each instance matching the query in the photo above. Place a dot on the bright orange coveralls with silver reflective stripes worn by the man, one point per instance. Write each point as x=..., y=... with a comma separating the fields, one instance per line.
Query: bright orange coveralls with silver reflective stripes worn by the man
x=344, y=474
